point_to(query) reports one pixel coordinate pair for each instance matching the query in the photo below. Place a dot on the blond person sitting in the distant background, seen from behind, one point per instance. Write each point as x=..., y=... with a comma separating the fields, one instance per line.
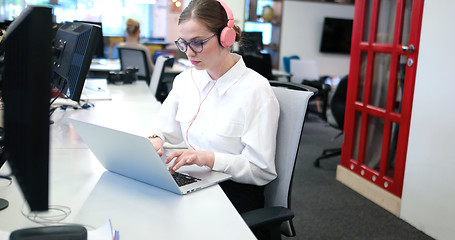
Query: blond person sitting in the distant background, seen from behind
x=133, y=33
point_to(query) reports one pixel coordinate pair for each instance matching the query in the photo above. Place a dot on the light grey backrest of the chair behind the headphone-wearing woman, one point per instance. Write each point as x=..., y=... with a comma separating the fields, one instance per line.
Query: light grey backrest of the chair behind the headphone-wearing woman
x=293, y=100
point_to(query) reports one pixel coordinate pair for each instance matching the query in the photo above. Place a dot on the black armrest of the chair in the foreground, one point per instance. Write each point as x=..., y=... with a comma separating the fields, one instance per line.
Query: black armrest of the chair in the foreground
x=267, y=216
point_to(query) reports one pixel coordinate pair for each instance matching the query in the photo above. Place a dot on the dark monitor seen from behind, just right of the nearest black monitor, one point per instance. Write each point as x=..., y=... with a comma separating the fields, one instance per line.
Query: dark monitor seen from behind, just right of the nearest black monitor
x=73, y=48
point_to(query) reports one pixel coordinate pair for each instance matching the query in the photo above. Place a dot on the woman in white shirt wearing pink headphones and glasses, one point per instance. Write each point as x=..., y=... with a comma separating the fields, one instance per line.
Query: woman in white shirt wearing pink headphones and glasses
x=225, y=112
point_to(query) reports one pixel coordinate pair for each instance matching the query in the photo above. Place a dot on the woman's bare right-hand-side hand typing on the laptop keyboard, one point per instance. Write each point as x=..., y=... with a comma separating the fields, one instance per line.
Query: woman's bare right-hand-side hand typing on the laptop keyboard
x=189, y=157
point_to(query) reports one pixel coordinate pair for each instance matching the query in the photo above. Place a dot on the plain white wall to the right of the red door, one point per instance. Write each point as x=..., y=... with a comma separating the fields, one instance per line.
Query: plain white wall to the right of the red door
x=428, y=200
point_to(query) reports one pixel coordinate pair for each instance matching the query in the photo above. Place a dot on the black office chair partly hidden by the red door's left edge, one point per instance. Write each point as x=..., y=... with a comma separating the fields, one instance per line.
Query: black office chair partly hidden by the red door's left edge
x=336, y=109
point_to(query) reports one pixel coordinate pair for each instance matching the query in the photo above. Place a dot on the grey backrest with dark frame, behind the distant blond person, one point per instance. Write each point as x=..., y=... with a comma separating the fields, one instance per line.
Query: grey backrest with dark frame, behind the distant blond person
x=130, y=57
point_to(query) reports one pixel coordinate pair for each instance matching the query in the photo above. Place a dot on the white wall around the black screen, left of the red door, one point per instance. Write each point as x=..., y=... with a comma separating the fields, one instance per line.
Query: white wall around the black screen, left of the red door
x=301, y=34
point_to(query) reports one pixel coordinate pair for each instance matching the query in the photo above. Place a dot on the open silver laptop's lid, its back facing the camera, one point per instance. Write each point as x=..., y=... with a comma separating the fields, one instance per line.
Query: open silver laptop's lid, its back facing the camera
x=126, y=154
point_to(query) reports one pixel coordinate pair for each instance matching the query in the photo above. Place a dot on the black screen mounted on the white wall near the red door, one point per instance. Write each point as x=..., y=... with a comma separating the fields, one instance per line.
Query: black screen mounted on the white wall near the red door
x=336, y=35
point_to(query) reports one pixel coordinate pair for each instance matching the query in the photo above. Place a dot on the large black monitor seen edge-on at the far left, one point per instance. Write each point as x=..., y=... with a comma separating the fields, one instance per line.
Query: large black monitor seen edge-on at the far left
x=25, y=93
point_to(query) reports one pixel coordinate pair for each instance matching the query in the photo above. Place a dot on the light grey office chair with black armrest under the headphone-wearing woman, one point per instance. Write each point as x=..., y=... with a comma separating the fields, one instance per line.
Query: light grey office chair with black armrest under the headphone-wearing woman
x=276, y=217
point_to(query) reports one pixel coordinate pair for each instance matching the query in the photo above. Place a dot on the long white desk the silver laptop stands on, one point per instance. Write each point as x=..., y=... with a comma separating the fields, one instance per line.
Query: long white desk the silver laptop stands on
x=137, y=210
